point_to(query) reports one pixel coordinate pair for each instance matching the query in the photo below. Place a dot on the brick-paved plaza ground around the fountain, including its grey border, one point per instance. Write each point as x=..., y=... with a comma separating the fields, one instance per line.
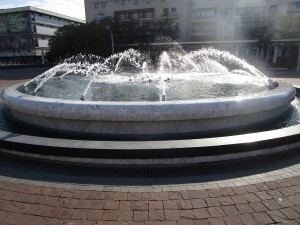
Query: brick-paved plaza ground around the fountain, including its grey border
x=269, y=197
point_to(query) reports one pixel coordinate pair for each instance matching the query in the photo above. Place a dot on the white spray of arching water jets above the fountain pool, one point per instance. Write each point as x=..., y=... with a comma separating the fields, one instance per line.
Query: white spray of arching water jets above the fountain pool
x=202, y=62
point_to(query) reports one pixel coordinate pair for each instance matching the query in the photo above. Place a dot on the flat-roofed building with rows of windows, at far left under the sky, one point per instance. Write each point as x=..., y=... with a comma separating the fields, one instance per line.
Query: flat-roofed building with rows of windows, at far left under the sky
x=25, y=33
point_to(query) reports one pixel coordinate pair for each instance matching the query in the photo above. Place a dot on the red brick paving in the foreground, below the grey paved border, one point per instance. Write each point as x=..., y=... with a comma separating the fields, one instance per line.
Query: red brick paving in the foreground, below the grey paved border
x=274, y=202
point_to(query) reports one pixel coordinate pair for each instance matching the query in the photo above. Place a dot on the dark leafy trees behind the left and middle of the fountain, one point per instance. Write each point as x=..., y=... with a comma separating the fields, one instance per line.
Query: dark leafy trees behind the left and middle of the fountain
x=94, y=38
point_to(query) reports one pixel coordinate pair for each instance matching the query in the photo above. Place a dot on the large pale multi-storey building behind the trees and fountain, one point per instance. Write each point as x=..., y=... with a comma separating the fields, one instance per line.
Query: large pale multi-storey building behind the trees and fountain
x=234, y=25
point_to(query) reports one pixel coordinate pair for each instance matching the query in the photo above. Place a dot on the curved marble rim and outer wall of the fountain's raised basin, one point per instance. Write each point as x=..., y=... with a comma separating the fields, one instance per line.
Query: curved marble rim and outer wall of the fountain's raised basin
x=132, y=119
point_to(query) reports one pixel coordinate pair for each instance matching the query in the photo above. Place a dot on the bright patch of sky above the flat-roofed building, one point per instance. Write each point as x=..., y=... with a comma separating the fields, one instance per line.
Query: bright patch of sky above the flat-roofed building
x=73, y=8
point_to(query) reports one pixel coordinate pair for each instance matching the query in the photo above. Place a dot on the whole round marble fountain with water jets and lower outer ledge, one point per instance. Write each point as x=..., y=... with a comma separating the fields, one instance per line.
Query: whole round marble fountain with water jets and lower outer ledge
x=149, y=109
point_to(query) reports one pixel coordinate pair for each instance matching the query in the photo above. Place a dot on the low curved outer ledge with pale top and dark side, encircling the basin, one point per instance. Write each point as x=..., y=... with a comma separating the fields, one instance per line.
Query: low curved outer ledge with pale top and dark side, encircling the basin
x=151, y=153
